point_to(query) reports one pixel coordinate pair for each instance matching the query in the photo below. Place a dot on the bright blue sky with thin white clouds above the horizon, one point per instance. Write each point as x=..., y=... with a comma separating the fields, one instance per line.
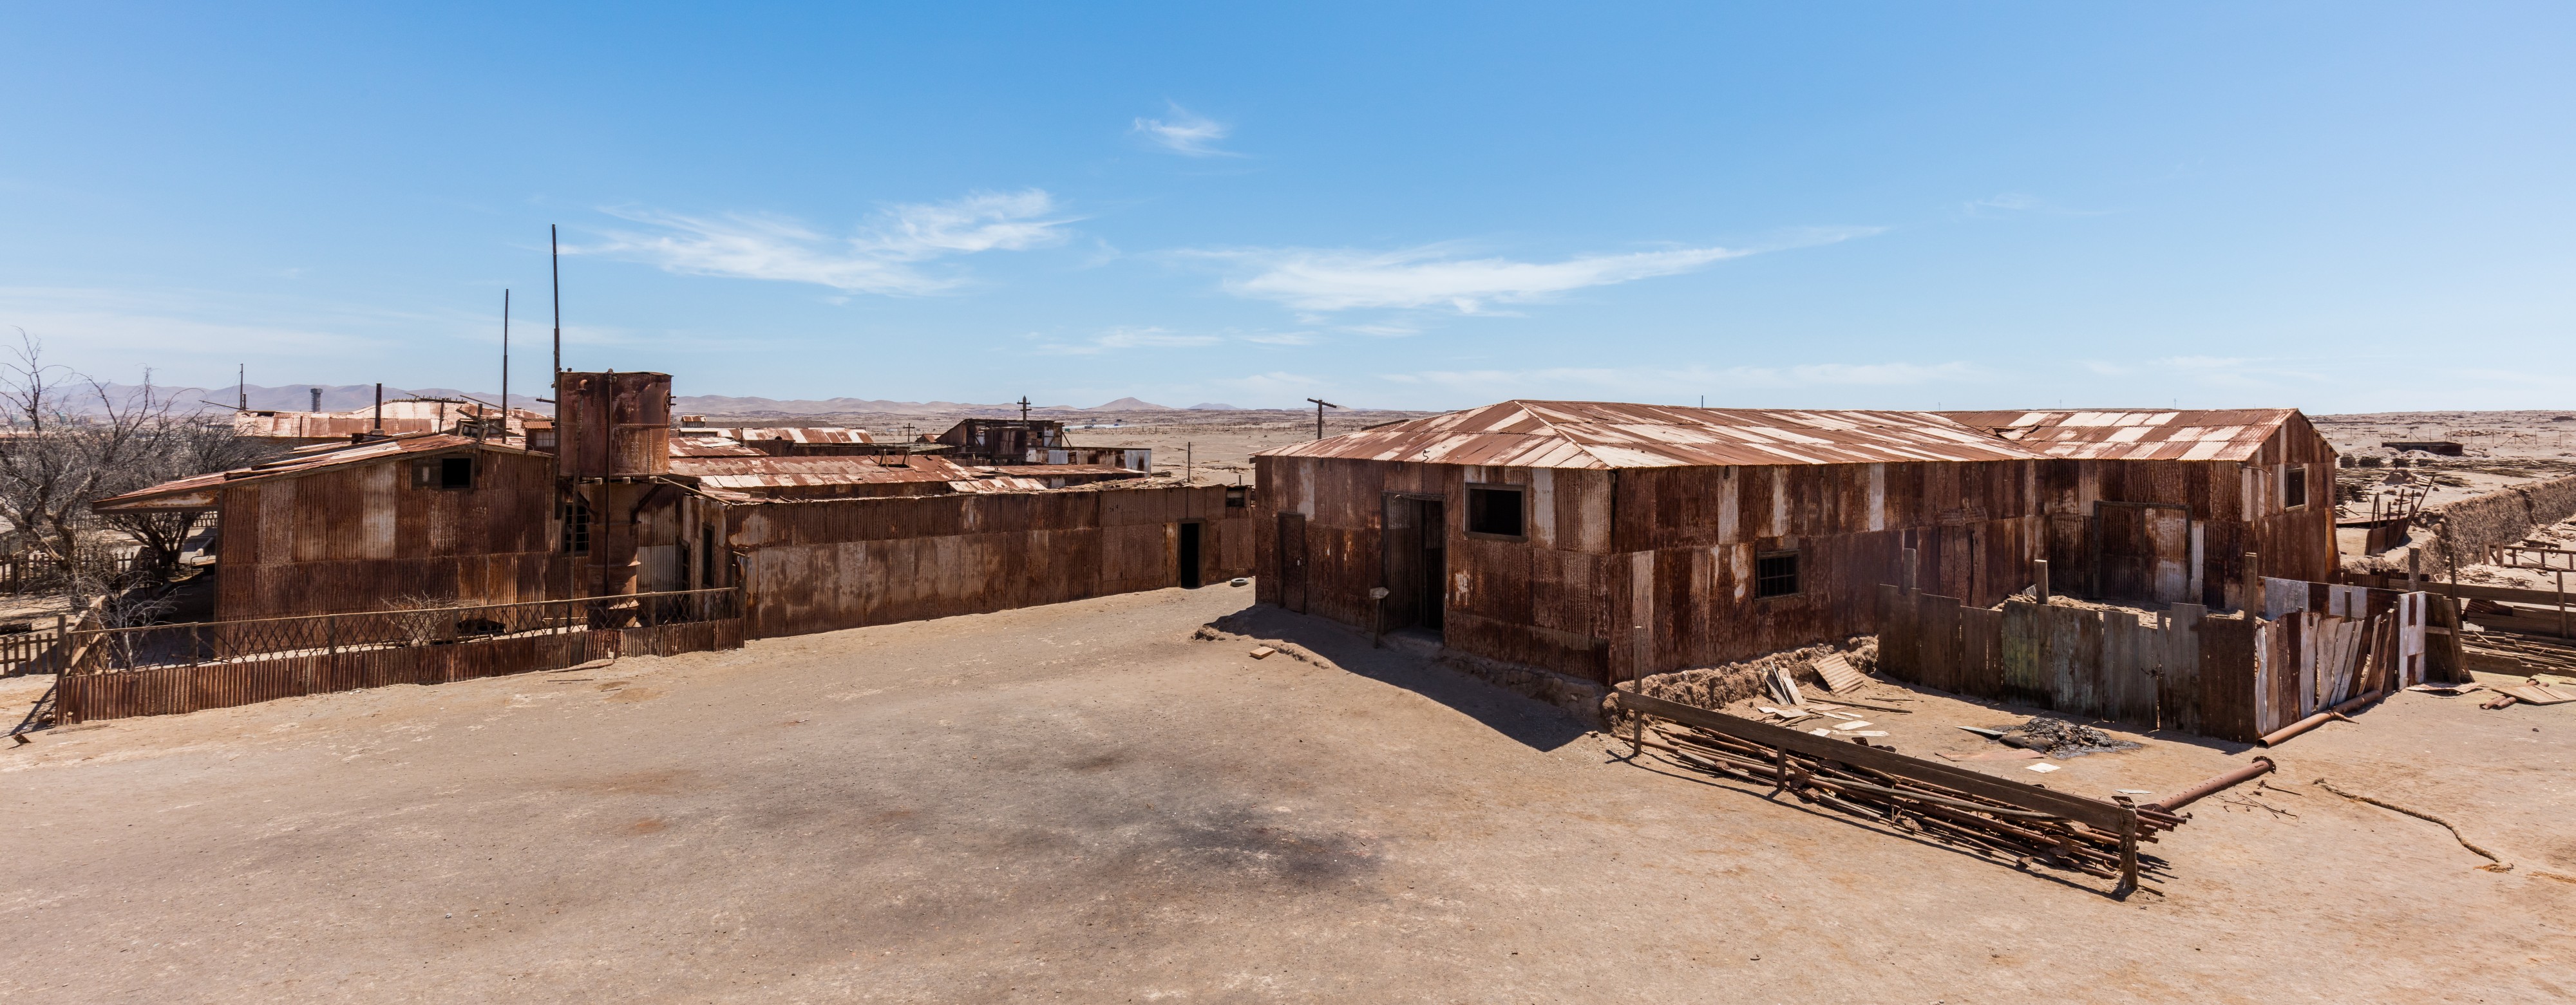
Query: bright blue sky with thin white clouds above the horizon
x=2320, y=205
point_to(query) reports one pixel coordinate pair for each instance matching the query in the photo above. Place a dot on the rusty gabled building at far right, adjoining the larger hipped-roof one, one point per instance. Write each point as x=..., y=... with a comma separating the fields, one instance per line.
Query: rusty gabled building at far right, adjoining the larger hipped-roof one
x=2165, y=504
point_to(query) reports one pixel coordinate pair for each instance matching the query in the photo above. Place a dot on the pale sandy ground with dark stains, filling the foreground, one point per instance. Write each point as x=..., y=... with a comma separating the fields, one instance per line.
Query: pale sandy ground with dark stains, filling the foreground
x=1088, y=805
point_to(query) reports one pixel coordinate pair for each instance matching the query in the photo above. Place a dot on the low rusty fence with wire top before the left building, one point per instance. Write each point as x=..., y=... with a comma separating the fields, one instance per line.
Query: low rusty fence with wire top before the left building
x=174, y=669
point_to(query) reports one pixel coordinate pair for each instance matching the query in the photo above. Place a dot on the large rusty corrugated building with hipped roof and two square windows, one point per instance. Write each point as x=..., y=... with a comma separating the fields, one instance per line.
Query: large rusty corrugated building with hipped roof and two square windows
x=1622, y=540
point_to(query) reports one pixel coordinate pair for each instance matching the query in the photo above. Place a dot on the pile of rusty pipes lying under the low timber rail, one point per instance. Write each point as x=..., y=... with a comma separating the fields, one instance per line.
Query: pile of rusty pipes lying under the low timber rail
x=1941, y=813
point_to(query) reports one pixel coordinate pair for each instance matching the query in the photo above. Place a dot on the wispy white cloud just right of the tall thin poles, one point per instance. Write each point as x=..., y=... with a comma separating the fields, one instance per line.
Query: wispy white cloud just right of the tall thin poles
x=880, y=259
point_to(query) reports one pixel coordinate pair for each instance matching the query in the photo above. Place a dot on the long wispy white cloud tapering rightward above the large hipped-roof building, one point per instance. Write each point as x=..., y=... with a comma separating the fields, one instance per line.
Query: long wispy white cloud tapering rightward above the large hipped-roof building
x=1328, y=280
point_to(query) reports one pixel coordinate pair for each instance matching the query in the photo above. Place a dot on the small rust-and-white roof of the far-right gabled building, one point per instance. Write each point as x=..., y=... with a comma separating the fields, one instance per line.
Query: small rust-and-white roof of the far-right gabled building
x=2137, y=434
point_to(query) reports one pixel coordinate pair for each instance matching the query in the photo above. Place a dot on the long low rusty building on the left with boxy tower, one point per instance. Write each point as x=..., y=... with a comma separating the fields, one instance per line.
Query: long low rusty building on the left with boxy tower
x=632, y=509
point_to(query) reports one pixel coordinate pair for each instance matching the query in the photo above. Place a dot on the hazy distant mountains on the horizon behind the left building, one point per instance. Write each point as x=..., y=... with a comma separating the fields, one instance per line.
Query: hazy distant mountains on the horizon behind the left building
x=341, y=398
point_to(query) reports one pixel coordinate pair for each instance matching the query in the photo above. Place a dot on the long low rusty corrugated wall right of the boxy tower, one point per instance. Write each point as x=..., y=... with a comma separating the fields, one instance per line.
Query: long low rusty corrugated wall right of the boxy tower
x=826, y=566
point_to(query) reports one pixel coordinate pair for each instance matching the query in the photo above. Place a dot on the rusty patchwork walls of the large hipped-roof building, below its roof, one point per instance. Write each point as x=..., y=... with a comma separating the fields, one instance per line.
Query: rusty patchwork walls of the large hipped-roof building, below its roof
x=1647, y=571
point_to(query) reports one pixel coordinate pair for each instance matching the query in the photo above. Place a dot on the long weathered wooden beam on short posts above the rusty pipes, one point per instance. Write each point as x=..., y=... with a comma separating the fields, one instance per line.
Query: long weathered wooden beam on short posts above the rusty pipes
x=2103, y=818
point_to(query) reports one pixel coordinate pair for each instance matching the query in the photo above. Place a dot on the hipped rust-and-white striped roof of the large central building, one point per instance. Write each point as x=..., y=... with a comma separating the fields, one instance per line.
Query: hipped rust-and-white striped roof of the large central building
x=1619, y=437
